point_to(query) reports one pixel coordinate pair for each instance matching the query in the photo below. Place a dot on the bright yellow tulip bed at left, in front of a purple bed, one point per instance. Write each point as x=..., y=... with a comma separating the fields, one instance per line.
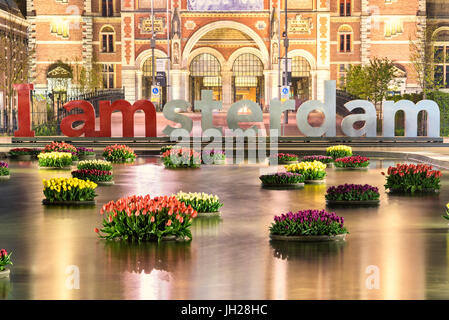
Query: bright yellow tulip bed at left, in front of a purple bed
x=69, y=191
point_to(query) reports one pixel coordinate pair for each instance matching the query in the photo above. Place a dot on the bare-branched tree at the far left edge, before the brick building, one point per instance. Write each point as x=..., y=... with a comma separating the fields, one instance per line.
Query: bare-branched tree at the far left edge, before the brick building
x=14, y=64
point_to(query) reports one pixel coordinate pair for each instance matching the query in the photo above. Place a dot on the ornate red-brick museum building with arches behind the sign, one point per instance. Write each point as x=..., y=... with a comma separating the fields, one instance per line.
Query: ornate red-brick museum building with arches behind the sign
x=233, y=47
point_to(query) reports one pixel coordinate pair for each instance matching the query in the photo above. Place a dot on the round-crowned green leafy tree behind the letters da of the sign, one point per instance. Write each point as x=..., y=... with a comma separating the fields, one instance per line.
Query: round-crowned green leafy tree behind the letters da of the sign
x=372, y=81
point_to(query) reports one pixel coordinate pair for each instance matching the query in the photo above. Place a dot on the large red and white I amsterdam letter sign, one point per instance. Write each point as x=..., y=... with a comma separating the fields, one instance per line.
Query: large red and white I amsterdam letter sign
x=207, y=105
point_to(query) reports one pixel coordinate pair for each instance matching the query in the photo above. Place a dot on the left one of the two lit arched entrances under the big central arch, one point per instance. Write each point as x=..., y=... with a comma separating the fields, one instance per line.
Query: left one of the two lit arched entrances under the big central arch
x=205, y=74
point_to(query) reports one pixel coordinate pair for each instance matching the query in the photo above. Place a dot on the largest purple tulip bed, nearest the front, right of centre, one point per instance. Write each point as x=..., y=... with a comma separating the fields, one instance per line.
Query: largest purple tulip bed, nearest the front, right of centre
x=308, y=225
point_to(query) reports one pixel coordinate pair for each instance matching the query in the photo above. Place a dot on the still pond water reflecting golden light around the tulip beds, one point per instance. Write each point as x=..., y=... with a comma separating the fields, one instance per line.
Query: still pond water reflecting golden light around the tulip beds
x=404, y=241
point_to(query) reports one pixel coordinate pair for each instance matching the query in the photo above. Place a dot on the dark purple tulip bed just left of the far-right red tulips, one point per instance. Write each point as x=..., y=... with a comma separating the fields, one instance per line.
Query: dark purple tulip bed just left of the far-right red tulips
x=353, y=194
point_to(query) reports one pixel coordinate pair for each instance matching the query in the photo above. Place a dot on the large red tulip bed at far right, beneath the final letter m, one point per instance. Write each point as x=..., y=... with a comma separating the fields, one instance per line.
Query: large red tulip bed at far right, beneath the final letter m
x=410, y=178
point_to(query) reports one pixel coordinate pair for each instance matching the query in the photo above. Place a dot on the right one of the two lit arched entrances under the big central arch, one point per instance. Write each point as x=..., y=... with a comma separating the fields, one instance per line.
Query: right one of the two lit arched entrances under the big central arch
x=248, y=78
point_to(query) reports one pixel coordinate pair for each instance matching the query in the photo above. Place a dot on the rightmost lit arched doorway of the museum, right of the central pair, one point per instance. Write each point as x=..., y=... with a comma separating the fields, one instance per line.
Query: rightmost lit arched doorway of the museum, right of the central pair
x=301, y=88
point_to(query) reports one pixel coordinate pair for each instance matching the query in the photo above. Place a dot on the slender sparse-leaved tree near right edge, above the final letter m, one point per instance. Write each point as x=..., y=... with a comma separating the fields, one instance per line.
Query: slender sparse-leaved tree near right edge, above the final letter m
x=422, y=56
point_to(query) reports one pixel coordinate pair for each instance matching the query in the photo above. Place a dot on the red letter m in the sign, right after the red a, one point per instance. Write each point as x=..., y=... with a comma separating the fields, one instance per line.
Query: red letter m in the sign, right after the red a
x=128, y=111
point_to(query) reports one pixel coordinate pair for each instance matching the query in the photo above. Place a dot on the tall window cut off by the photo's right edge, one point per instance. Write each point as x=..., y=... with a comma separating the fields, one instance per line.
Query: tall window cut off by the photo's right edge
x=441, y=57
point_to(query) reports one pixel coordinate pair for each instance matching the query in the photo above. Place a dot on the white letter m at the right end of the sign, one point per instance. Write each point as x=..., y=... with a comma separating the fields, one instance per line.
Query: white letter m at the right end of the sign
x=411, y=112
